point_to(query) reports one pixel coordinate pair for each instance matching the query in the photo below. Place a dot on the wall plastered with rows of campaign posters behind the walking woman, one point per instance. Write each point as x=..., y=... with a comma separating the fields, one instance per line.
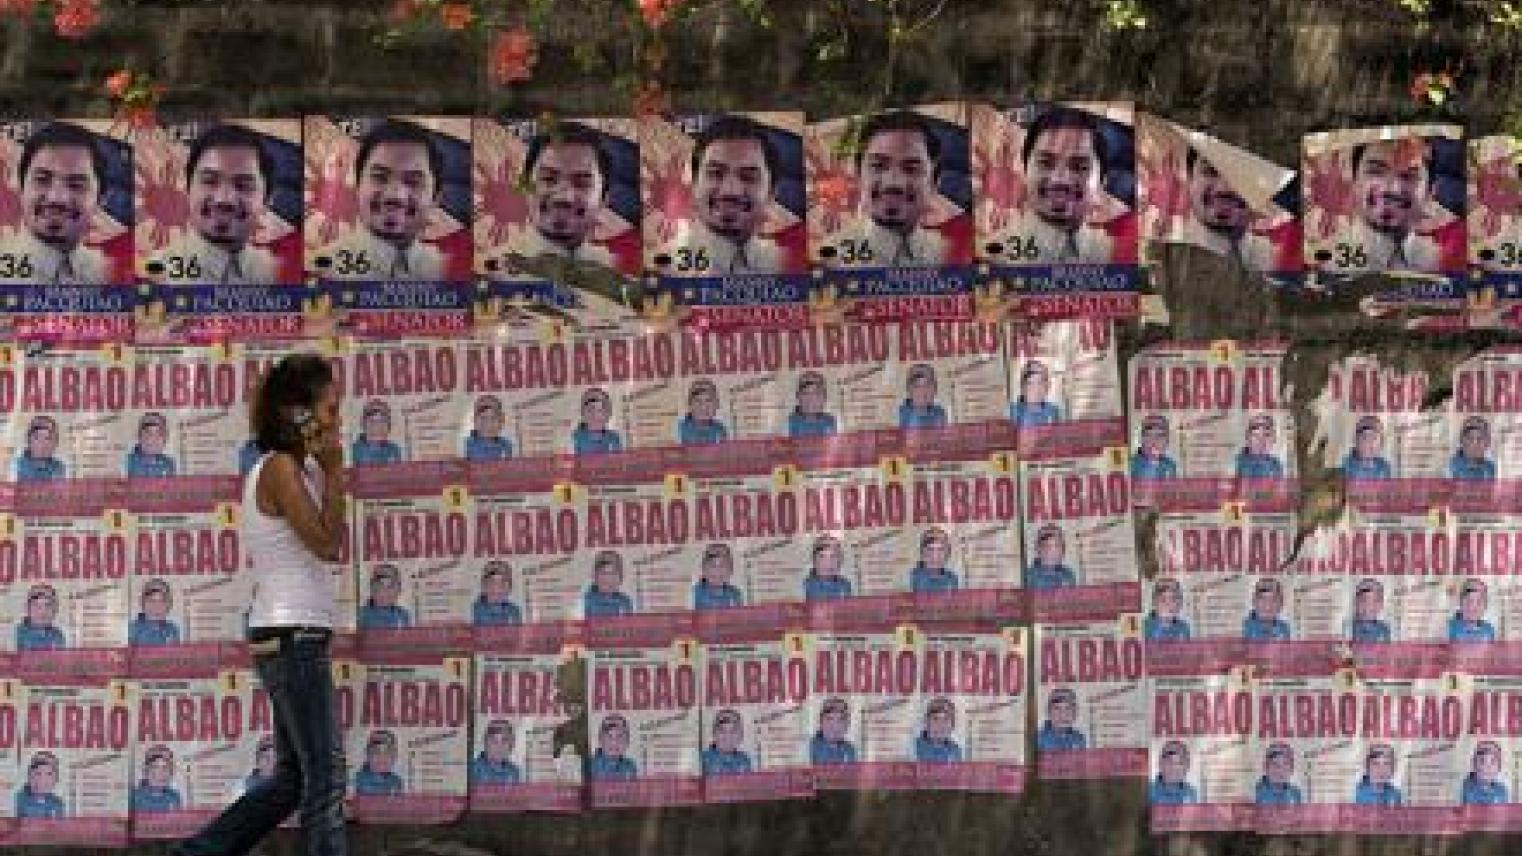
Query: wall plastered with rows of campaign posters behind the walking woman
x=818, y=490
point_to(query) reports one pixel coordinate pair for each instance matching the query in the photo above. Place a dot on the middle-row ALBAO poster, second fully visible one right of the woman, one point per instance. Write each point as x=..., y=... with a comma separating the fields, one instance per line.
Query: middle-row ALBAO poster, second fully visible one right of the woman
x=524, y=578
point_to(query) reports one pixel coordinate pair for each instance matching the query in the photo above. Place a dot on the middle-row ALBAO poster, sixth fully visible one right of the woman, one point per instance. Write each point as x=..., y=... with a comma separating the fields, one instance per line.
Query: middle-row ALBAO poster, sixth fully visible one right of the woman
x=964, y=537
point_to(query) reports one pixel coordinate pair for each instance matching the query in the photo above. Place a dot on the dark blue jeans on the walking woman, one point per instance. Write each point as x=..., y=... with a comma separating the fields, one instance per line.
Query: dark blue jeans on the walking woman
x=310, y=756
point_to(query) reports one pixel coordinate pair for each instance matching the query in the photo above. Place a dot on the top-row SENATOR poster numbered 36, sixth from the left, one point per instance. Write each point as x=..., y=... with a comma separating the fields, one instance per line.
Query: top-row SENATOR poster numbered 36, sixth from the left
x=891, y=212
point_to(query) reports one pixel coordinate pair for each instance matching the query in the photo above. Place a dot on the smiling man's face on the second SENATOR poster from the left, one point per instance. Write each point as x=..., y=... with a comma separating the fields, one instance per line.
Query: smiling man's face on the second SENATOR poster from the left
x=228, y=196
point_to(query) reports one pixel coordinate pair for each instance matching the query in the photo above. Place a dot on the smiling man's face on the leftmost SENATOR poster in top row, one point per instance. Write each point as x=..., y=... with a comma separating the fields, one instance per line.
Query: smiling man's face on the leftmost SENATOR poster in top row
x=60, y=194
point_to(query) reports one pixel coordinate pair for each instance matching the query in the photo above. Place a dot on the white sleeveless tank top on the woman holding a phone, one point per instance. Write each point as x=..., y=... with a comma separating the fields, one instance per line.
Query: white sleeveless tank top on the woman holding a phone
x=291, y=586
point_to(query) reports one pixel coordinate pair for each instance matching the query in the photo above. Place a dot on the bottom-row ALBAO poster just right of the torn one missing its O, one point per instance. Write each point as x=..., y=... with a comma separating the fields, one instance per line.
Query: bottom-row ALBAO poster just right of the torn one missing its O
x=645, y=726
